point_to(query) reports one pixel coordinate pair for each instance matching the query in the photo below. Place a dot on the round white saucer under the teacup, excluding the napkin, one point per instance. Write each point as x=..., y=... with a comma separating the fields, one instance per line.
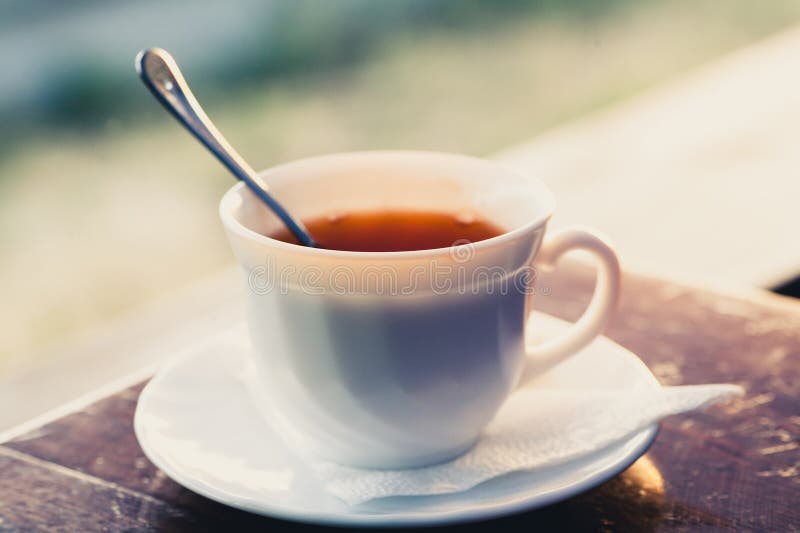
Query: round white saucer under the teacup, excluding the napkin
x=196, y=422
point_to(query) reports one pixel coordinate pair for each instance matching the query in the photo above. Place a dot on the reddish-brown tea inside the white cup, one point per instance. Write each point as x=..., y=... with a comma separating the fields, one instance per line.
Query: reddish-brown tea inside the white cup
x=394, y=231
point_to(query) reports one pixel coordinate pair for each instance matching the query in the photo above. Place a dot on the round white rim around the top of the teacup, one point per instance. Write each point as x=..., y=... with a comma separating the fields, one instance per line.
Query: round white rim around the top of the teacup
x=232, y=224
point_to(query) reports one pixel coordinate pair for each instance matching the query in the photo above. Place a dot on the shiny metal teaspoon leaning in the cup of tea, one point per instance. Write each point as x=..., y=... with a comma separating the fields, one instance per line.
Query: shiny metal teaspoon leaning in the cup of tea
x=160, y=73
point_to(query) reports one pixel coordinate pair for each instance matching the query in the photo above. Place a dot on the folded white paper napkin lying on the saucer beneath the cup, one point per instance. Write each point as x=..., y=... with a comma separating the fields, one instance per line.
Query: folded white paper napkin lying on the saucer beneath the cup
x=565, y=425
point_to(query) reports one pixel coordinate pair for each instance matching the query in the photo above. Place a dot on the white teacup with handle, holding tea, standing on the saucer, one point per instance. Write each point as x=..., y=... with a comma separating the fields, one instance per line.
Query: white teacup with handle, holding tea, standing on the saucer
x=399, y=359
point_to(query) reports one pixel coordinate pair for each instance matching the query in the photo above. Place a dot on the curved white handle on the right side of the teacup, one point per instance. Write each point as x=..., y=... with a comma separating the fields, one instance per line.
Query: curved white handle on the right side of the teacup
x=604, y=300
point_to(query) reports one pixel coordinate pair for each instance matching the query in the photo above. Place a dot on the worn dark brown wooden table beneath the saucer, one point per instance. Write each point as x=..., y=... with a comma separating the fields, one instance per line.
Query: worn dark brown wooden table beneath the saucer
x=733, y=467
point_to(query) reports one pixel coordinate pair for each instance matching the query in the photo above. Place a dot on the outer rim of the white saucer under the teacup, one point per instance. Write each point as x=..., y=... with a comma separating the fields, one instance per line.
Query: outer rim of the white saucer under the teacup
x=354, y=517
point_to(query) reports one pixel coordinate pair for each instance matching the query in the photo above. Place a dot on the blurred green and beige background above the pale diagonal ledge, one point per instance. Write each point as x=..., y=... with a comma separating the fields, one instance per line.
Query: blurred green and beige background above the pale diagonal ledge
x=106, y=205
